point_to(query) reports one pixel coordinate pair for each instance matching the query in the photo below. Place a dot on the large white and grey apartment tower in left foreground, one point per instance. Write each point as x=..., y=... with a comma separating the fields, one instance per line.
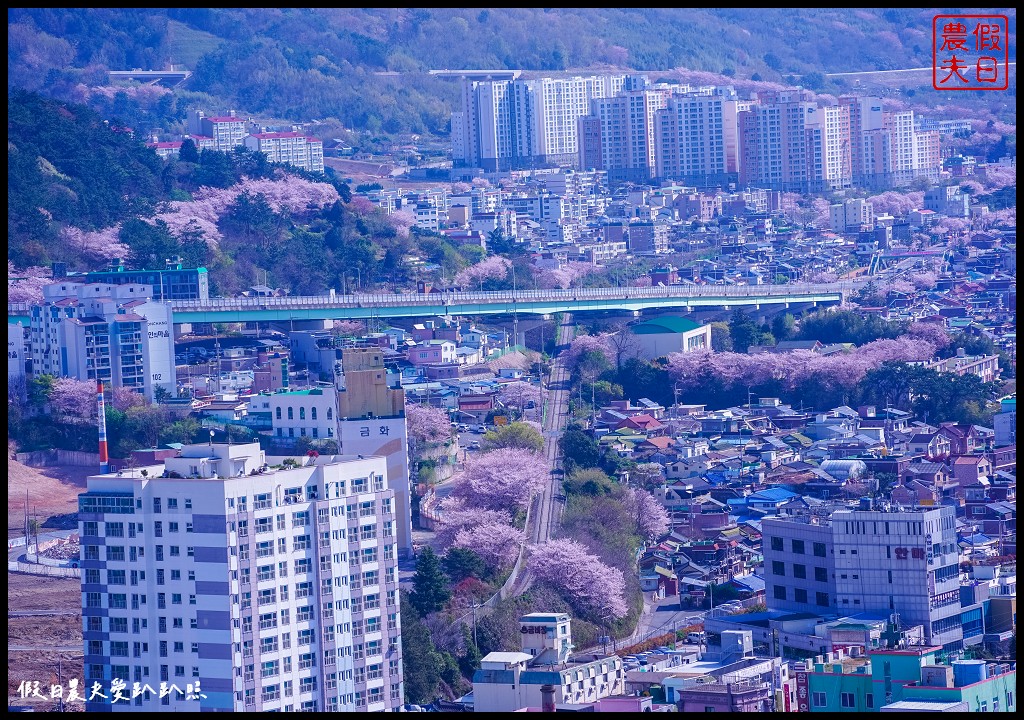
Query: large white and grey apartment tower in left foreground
x=274, y=589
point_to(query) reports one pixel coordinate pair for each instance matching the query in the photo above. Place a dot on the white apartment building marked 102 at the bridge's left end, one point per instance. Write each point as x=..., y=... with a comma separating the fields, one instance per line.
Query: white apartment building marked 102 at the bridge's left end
x=113, y=333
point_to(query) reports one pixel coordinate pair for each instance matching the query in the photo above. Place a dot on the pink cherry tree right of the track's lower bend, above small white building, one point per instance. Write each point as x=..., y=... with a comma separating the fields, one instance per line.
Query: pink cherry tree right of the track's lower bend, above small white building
x=595, y=588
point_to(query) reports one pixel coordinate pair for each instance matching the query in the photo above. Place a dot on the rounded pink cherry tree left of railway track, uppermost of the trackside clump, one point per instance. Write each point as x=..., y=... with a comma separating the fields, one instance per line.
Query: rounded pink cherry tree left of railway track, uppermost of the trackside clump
x=502, y=480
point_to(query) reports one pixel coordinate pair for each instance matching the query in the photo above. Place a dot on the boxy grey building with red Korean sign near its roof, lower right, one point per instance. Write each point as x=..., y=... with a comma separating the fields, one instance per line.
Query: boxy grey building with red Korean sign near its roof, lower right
x=905, y=563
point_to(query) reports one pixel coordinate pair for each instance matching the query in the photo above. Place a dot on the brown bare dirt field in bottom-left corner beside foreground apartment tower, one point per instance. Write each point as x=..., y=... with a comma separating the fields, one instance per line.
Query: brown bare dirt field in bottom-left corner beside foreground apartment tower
x=26, y=592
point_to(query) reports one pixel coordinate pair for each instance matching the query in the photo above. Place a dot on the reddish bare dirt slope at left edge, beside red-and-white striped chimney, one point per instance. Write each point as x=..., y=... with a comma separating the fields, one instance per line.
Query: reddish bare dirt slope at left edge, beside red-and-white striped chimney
x=52, y=491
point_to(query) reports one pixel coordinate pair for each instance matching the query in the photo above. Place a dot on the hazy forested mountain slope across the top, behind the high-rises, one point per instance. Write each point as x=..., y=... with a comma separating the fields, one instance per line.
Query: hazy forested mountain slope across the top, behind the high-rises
x=366, y=67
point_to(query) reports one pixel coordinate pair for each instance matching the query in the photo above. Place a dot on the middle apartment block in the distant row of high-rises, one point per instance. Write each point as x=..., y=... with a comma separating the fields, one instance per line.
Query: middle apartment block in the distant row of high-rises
x=696, y=138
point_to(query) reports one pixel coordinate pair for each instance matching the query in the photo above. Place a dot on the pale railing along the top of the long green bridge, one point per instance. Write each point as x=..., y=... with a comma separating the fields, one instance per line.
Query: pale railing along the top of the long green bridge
x=508, y=297
